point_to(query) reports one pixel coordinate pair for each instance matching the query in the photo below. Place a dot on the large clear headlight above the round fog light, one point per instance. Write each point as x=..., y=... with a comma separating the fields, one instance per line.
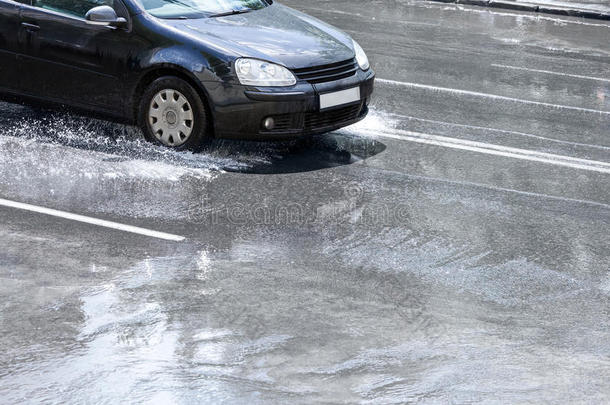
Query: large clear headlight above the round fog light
x=254, y=72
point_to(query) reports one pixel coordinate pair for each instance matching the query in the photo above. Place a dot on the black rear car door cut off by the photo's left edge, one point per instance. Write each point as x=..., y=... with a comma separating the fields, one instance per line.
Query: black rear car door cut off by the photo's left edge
x=9, y=24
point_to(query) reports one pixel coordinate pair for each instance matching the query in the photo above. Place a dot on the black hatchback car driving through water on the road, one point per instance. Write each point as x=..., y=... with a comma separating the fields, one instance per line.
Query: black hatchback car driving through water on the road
x=185, y=70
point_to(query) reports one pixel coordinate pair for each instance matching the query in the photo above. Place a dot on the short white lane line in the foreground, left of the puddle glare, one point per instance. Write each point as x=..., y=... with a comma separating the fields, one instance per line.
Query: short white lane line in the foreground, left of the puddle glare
x=91, y=221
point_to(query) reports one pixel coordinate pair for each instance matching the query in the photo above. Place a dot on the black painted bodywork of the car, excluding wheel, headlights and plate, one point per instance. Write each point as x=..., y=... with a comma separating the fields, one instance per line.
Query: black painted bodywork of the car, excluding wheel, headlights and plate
x=54, y=58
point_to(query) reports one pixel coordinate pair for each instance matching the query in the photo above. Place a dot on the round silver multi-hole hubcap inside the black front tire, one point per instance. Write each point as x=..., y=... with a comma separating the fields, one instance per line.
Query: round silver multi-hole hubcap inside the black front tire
x=171, y=117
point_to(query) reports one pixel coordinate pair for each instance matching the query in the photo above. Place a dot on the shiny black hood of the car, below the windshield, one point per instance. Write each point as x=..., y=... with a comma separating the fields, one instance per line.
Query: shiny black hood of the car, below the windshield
x=276, y=33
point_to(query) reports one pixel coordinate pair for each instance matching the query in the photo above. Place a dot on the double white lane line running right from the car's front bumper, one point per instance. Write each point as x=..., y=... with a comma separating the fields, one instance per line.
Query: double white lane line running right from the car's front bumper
x=497, y=150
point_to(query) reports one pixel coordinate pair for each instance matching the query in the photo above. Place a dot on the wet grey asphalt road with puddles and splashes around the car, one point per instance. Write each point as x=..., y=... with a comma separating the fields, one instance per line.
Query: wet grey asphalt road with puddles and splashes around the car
x=395, y=261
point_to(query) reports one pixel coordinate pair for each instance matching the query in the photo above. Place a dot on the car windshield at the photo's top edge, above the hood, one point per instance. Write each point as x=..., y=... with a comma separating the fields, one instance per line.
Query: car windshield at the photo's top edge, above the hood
x=199, y=8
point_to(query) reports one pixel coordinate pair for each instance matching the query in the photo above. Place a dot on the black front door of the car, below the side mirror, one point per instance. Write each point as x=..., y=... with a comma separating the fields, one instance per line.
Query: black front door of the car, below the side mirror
x=70, y=60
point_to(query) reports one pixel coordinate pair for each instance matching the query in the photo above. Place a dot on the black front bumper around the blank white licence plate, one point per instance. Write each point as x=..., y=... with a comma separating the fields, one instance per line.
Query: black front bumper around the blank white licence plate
x=239, y=111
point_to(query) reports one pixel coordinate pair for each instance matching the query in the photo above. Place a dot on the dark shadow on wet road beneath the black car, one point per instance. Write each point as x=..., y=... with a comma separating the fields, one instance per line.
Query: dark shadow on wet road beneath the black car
x=125, y=143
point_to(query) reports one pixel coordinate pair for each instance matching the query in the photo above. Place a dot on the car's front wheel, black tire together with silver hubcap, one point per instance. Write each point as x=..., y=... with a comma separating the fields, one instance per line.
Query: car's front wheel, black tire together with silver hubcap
x=172, y=114
